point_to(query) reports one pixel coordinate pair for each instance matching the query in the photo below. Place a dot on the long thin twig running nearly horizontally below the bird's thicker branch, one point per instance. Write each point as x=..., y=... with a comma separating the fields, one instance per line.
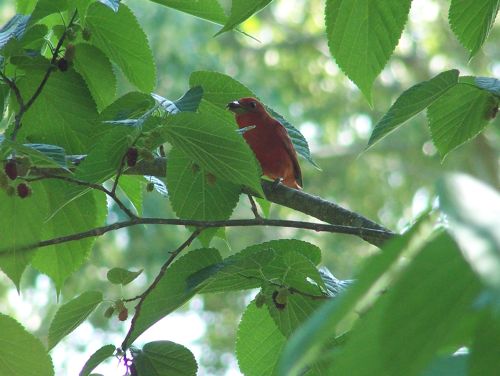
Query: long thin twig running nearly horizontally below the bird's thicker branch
x=318, y=227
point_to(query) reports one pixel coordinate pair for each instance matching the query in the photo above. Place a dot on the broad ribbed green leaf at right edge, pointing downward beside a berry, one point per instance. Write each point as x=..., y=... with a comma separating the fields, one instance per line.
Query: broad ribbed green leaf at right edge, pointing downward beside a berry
x=458, y=116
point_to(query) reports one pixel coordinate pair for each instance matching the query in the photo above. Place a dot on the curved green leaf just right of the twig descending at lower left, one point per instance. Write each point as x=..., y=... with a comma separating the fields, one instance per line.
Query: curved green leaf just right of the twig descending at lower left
x=172, y=290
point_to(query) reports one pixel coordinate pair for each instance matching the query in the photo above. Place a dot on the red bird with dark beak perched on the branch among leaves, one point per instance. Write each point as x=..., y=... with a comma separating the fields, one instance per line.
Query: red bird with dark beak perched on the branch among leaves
x=269, y=141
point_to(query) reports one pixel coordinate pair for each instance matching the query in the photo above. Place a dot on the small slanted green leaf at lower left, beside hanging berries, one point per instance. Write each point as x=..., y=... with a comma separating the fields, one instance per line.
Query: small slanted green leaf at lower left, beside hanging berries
x=71, y=314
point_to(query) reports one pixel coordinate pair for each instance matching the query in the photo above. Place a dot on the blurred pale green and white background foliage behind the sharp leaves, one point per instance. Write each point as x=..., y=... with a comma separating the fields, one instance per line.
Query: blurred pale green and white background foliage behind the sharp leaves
x=287, y=63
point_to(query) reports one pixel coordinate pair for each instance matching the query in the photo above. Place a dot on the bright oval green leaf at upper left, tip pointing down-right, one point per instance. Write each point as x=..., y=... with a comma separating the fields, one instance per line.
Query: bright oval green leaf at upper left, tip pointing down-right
x=120, y=36
